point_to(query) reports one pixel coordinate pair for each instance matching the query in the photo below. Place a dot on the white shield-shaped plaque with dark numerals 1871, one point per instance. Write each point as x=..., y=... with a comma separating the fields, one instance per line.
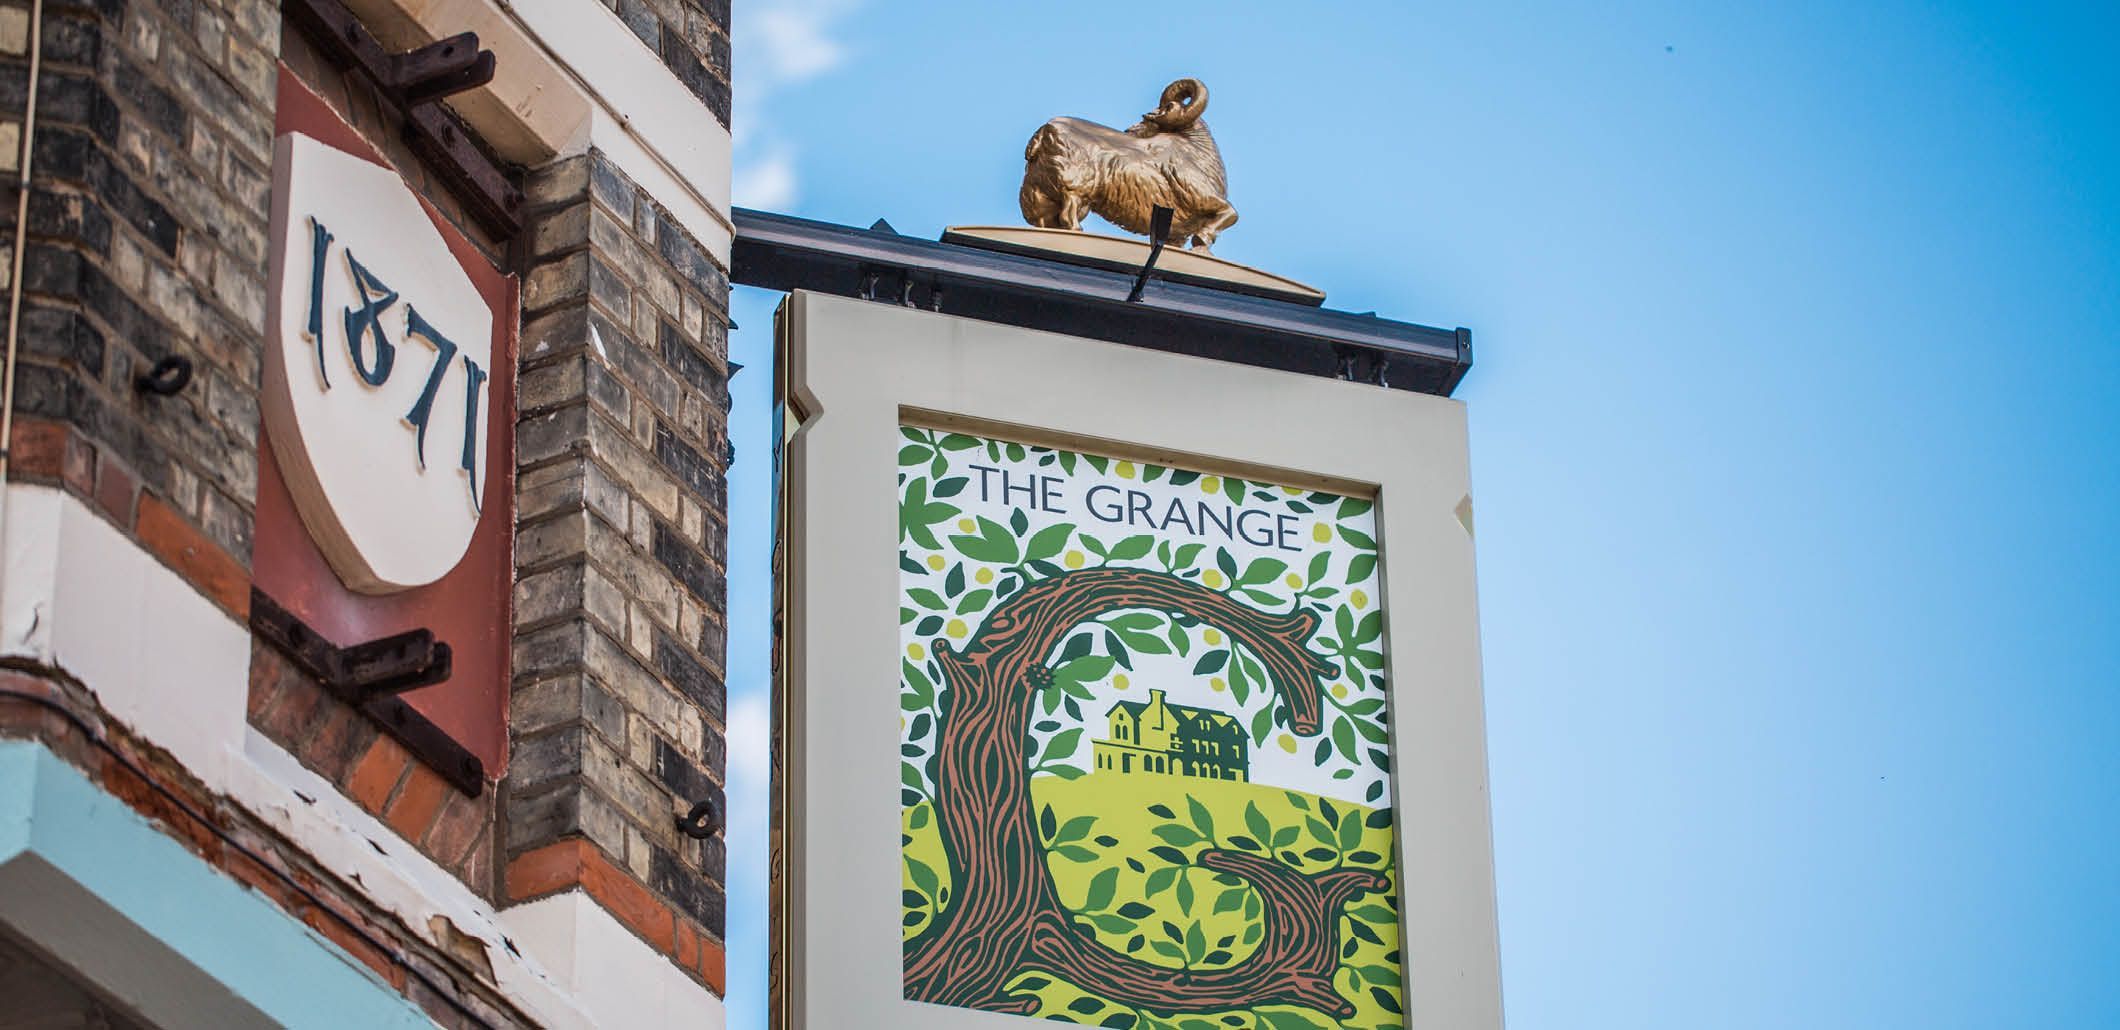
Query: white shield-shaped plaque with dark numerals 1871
x=376, y=370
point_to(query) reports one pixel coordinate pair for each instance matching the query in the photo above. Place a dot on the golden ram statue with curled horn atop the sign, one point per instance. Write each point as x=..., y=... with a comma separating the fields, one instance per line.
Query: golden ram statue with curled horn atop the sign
x=1169, y=160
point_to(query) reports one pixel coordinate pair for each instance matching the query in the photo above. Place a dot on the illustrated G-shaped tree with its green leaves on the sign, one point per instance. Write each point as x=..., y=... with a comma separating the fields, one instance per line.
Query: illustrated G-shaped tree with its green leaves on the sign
x=1002, y=912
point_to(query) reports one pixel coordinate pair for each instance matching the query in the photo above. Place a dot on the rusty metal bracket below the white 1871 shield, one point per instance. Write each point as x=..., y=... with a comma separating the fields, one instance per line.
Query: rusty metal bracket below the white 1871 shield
x=370, y=679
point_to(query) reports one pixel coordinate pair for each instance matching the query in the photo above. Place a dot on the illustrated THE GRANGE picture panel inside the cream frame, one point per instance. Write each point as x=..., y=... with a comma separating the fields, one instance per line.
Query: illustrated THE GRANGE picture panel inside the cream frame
x=1144, y=745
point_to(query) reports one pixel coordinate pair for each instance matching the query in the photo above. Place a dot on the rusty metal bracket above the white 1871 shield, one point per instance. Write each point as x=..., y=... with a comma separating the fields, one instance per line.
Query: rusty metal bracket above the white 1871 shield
x=412, y=84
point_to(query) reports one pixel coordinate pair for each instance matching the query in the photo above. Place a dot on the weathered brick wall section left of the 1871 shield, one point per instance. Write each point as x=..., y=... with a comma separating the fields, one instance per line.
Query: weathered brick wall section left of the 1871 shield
x=147, y=238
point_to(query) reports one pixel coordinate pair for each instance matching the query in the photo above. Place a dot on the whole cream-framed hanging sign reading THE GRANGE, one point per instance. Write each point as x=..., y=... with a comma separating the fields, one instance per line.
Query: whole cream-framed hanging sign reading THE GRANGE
x=1186, y=724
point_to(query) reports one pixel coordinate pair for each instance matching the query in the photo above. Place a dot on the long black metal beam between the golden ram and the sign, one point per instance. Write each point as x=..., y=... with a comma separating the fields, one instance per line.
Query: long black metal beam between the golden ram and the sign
x=783, y=253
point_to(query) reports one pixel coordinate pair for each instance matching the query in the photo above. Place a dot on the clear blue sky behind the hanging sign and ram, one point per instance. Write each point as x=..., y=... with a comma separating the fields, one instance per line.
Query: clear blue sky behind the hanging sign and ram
x=1795, y=419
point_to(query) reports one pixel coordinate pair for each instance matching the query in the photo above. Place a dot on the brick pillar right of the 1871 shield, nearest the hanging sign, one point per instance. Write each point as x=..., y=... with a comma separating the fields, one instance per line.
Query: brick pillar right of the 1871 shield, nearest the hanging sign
x=622, y=448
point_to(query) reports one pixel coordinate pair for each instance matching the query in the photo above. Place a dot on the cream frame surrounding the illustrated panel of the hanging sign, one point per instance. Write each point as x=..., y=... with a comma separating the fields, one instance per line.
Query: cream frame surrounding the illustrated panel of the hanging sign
x=860, y=372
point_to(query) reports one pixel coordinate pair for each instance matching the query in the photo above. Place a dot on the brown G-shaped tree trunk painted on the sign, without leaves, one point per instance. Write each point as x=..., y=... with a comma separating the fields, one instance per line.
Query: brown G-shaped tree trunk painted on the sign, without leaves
x=1006, y=914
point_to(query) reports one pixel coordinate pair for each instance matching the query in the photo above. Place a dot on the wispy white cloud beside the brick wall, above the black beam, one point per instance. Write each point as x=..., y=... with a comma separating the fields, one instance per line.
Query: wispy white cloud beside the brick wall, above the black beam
x=777, y=46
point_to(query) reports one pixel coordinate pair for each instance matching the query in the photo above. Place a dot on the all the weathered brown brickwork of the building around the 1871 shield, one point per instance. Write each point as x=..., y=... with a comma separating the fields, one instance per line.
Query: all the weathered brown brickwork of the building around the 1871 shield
x=149, y=238
